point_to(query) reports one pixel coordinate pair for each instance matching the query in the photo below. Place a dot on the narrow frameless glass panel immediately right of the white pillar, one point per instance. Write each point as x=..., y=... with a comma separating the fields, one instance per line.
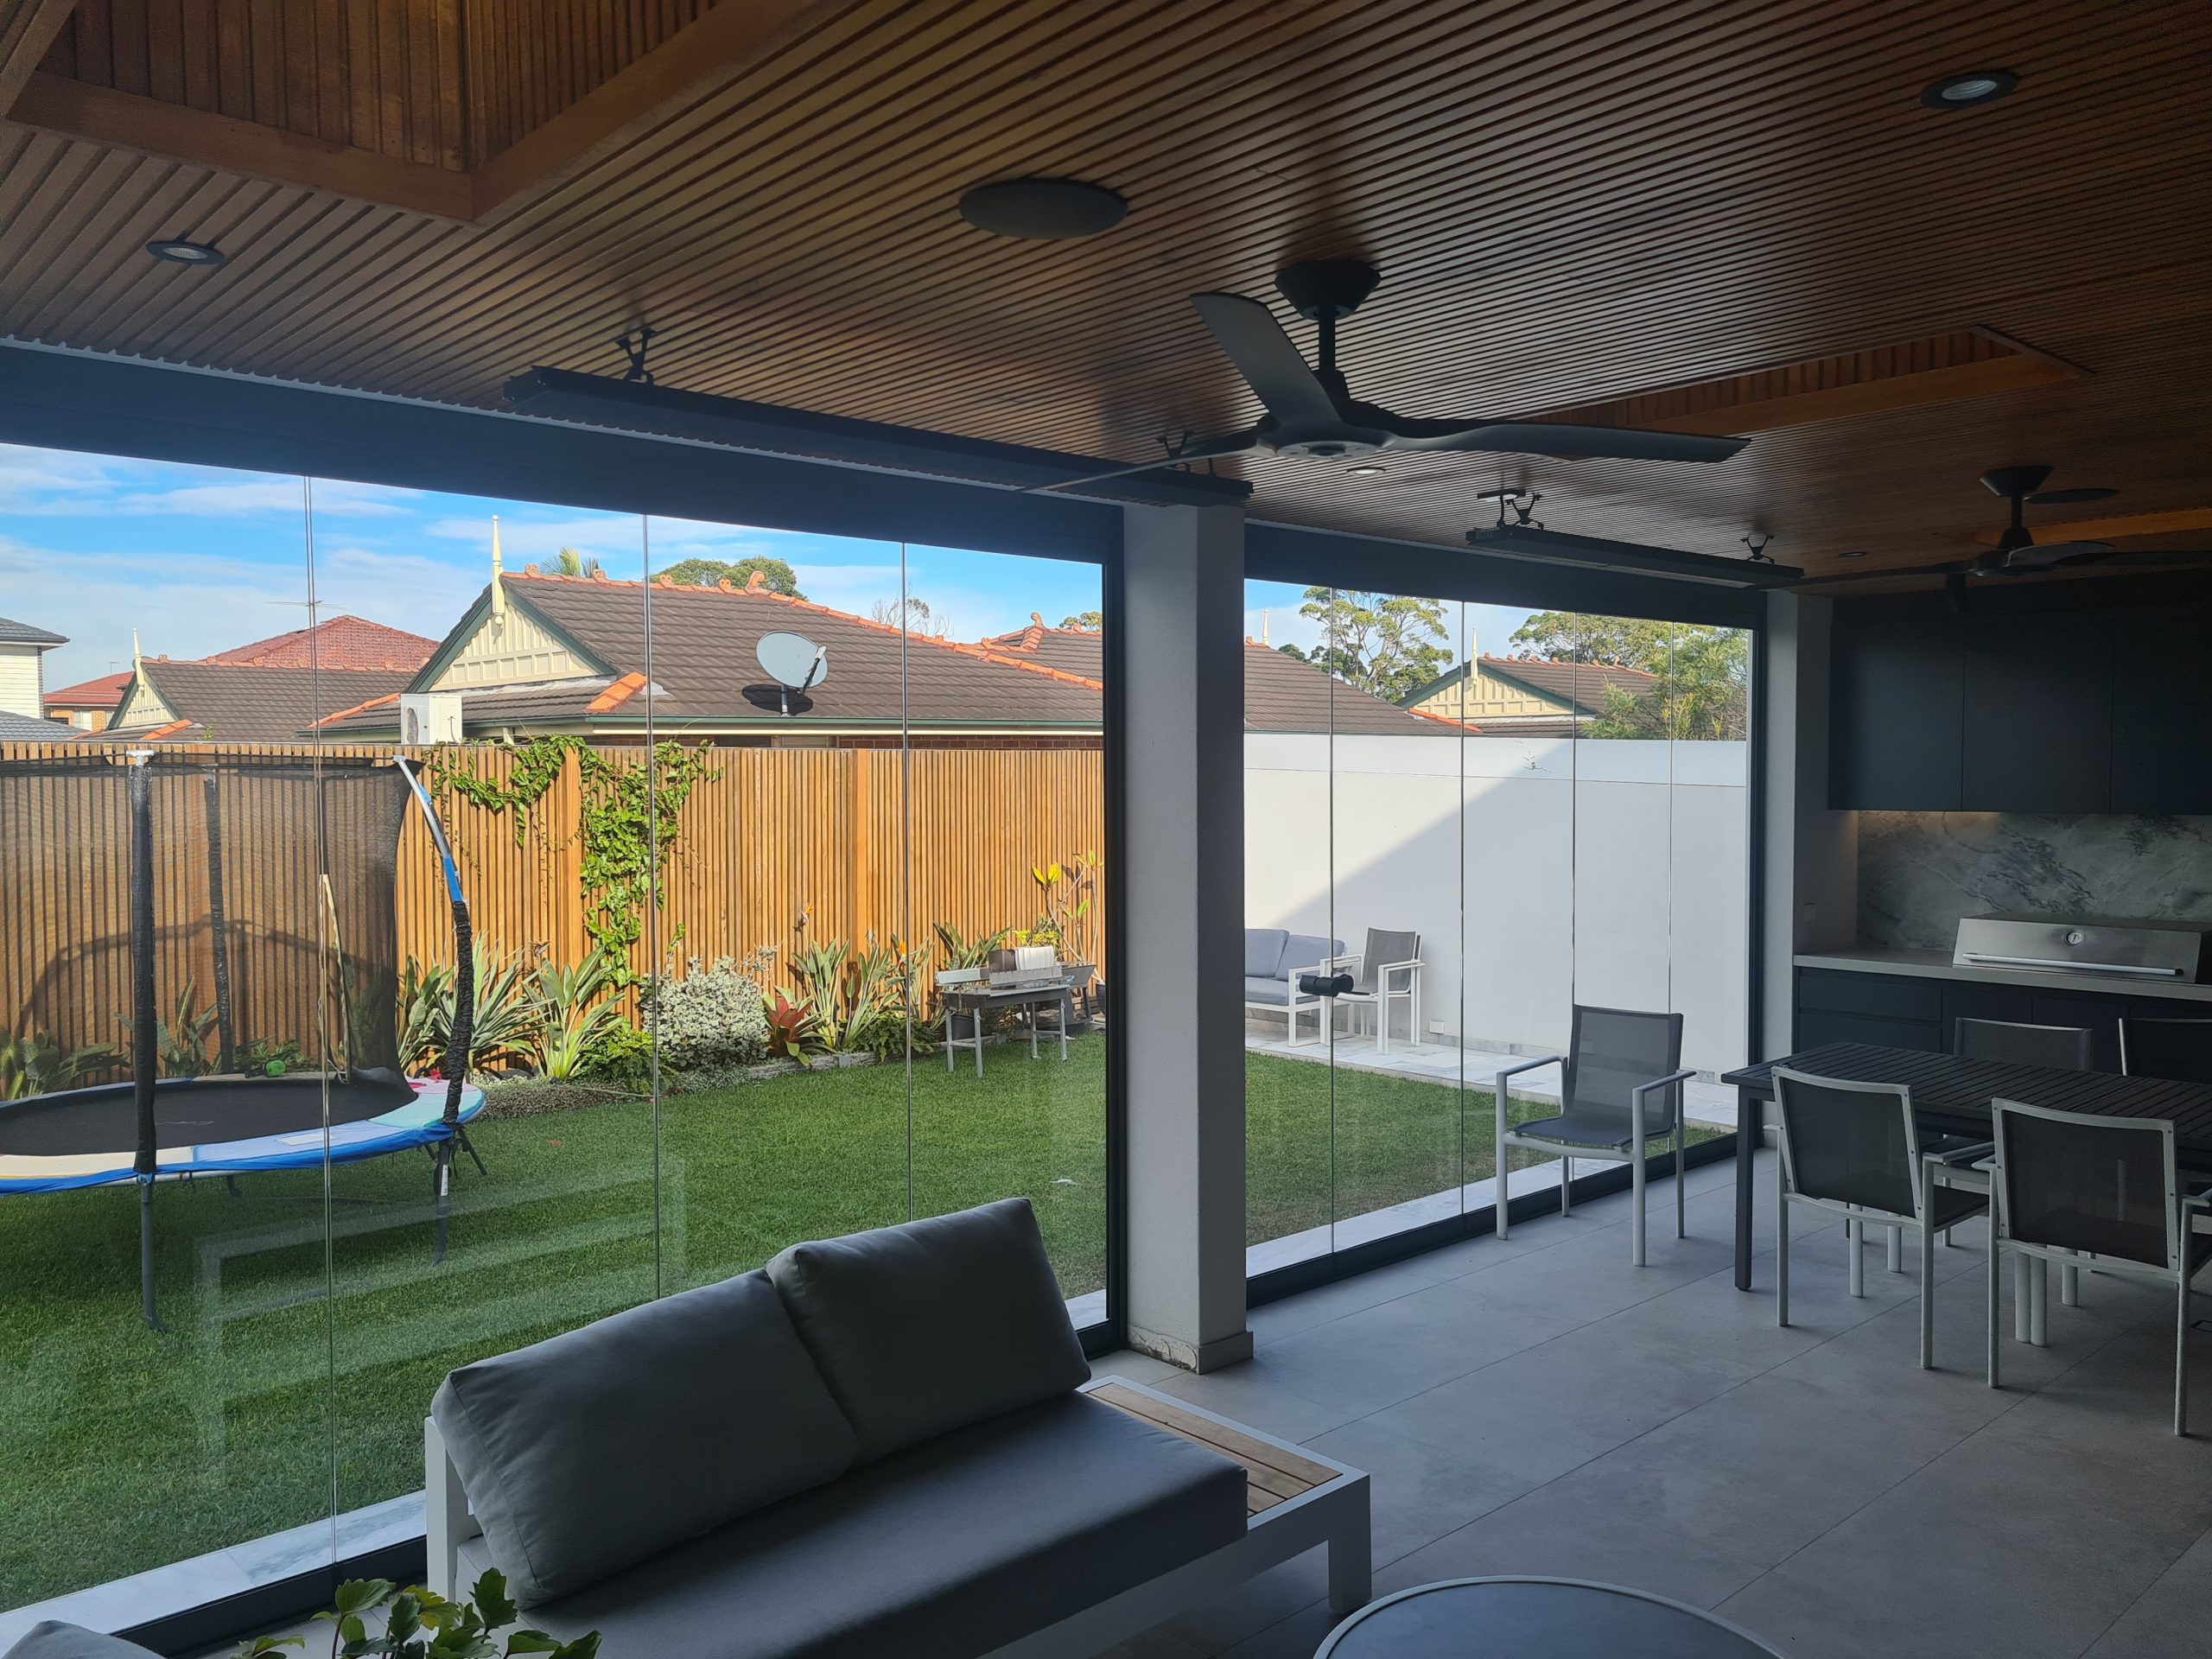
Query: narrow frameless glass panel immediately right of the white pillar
x=1291, y=924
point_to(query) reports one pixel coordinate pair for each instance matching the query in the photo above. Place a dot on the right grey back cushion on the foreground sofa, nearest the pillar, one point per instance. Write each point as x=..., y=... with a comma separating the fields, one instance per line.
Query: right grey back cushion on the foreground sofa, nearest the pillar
x=932, y=1326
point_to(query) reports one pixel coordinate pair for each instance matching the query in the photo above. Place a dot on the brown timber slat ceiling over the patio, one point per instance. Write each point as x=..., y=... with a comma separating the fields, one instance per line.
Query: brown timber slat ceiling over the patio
x=1572, y=205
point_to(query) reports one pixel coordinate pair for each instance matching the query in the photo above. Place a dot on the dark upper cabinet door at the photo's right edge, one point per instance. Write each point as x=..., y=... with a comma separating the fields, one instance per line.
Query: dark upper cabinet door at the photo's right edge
x=2162, y=711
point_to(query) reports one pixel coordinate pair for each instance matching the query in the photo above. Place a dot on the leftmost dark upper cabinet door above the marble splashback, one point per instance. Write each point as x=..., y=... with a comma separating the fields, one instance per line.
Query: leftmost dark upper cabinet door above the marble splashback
x=1895, y=713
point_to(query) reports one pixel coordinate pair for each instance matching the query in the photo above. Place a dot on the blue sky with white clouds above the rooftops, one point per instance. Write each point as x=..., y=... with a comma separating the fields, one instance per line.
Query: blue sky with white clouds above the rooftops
x=202, y=559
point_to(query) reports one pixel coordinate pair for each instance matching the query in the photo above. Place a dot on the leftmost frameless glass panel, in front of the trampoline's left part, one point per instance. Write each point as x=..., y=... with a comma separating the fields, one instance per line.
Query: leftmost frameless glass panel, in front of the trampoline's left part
x=165, y=977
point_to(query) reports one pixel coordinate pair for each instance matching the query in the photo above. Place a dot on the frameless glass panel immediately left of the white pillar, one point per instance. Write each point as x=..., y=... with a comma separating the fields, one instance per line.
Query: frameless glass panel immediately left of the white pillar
x=999, y=906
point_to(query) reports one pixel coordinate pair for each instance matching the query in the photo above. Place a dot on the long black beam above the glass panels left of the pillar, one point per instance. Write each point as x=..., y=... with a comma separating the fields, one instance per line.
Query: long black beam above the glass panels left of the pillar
x=154, y=413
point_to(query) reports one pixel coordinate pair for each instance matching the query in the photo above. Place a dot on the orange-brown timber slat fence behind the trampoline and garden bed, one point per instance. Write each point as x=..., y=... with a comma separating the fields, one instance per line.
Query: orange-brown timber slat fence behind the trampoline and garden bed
x=853, y=842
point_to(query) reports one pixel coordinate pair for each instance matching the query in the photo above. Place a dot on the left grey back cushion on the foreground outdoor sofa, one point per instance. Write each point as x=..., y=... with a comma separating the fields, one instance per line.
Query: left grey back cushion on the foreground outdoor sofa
x=598, y=1450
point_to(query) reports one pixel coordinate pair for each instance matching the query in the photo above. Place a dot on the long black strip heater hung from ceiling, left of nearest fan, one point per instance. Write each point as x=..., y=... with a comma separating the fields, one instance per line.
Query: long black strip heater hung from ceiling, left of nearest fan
x=766, y=428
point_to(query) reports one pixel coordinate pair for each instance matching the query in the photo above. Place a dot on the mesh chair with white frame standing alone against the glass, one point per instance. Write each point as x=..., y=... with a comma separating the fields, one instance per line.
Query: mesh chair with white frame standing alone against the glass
x=1620, y=1089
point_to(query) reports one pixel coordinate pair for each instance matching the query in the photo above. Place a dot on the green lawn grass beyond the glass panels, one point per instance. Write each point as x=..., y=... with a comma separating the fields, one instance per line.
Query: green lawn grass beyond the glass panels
x=125, y=1448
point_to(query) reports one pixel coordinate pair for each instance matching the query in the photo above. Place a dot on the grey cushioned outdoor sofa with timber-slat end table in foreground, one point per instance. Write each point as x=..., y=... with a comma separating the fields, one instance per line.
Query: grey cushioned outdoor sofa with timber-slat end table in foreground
x=877, y=1446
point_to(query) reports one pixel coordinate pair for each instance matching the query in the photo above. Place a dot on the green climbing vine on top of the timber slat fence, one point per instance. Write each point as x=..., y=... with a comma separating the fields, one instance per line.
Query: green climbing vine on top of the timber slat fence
x=616, y=822
